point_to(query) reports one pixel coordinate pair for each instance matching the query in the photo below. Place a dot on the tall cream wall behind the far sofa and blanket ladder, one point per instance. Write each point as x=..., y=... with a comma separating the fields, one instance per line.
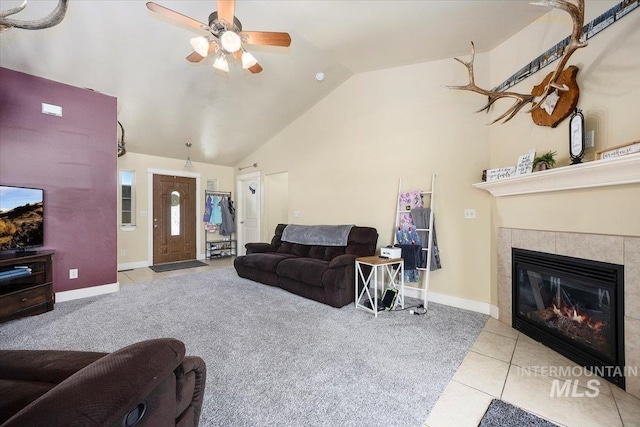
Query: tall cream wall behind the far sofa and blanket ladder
x=346, y=155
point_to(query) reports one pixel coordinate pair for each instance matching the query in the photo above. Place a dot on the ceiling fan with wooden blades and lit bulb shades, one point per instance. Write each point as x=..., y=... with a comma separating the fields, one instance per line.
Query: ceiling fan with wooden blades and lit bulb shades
x=225, y=36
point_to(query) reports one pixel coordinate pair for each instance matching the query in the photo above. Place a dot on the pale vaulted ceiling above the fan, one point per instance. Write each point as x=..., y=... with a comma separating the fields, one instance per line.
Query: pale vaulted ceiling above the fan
x=121, y=49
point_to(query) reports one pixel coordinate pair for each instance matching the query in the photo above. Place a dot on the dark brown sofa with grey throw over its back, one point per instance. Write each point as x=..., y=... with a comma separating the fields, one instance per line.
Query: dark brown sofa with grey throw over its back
x=322, y=273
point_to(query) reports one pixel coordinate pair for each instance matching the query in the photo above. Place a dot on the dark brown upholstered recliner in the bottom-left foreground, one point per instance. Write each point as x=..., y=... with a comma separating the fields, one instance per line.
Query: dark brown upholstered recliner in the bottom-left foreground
x=150, y=381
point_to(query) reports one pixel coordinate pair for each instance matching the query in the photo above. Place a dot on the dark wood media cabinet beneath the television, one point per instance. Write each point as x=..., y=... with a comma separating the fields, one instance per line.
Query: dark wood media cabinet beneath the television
x=26, y=285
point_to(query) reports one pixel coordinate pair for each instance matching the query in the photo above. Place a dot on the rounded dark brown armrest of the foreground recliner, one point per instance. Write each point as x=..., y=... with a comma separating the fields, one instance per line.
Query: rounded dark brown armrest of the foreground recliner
x=104, y=392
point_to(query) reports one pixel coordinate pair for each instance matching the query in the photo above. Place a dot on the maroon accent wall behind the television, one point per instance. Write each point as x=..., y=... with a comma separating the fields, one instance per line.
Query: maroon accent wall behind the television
x=73, y=158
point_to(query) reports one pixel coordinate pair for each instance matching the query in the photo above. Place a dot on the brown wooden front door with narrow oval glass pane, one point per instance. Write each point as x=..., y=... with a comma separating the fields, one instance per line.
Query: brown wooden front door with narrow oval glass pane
x=174, y=219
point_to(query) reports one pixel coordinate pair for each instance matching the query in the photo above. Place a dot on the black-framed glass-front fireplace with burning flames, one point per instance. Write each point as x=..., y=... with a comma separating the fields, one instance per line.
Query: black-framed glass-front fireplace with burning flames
x=574, y=306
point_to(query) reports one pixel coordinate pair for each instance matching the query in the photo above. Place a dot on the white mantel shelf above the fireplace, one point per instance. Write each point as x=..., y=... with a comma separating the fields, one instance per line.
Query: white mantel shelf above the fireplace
x=598, y=173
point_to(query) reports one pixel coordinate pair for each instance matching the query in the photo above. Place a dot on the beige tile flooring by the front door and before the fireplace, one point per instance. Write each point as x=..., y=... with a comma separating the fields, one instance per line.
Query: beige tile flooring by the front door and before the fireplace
x=503, y=364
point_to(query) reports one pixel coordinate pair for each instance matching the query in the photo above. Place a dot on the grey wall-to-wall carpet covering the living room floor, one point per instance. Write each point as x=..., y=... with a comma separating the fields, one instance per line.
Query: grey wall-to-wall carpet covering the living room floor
x=273, y=358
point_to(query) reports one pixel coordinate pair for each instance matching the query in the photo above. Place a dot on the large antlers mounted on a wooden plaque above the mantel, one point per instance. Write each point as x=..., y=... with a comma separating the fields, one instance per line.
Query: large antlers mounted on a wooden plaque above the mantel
x=561, y=79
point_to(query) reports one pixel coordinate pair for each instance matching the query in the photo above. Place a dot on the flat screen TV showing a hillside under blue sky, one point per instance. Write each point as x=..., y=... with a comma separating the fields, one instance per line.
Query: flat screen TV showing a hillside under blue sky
x=21, y=218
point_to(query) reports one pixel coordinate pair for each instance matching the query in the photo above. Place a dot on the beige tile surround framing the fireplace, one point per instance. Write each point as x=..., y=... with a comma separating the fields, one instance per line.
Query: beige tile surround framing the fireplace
x=614, y=249
